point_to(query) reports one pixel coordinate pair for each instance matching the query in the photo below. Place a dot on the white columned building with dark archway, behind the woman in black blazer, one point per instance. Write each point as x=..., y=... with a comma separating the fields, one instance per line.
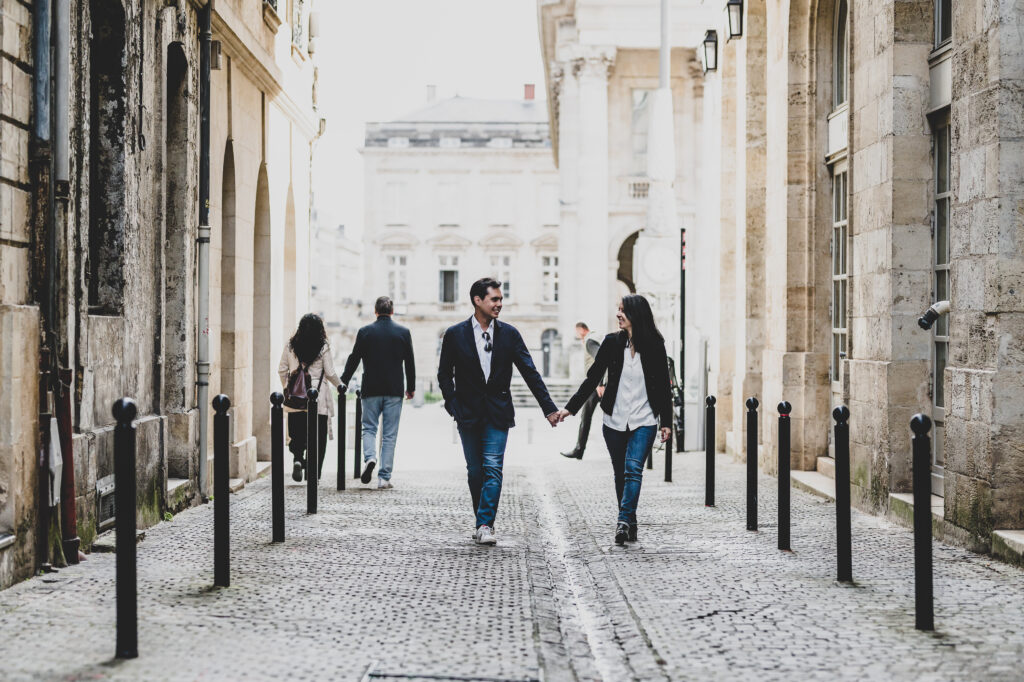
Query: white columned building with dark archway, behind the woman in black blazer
x=603, y=64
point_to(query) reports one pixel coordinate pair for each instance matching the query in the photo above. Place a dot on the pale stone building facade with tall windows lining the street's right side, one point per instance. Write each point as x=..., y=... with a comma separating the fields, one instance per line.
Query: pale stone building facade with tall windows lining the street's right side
x=872, y=165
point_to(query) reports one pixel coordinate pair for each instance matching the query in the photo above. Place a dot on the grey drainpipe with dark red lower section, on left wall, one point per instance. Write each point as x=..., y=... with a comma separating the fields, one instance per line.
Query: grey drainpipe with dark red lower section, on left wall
x=62, y=173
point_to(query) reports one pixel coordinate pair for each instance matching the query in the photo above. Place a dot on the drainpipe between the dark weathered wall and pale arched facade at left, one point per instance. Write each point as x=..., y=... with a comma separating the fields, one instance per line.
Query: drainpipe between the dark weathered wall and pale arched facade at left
x=203, y=355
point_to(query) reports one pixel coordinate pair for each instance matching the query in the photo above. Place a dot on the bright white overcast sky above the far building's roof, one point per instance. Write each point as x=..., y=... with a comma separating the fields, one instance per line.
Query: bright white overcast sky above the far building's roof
x=377, y=58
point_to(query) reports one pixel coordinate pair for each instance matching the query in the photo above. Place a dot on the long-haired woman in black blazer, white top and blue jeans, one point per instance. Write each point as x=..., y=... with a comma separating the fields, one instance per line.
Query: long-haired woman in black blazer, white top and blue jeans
x=637, y=402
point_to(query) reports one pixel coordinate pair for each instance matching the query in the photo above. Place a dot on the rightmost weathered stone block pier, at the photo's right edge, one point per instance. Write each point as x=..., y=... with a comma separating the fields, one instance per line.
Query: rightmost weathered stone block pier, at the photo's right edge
x=985, y=480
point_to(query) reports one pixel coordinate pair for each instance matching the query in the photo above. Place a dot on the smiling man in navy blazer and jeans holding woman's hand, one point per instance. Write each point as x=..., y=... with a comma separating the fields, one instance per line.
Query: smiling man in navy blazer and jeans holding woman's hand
x=475, y=374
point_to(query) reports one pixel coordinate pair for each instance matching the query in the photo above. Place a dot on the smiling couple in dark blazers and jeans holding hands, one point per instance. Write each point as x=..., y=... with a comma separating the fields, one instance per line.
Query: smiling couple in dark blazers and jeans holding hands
x=476, y=372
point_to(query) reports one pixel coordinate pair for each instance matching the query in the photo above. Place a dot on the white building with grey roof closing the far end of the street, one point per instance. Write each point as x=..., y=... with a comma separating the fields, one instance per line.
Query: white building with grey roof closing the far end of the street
x=461, y=190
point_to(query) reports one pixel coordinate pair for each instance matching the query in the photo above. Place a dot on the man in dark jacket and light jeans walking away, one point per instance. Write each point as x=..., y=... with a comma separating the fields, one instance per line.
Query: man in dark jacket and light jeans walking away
x=382, y=348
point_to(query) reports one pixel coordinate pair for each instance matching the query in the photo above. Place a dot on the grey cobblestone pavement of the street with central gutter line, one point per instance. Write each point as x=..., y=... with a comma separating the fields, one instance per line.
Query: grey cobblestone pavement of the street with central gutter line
x=389, y=586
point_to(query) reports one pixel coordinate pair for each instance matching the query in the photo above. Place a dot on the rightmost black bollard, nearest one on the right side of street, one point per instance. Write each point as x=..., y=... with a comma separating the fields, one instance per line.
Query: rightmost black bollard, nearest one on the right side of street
x=923, y=523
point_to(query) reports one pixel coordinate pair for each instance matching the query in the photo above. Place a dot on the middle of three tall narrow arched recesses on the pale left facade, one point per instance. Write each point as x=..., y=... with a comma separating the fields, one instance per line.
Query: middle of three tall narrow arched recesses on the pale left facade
x=263, y=361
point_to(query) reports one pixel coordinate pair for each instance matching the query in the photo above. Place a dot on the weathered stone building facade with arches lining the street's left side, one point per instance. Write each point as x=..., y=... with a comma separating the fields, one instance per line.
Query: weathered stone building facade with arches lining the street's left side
x=100, y=211
